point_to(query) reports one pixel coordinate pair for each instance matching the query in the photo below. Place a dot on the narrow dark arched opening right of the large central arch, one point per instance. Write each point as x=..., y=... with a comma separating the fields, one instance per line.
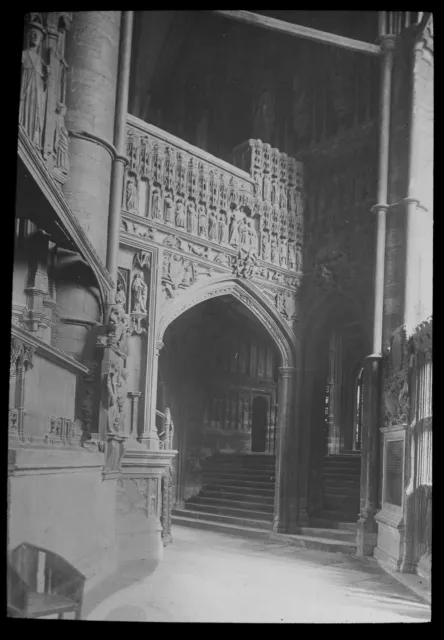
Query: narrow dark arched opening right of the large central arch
x=334, y=355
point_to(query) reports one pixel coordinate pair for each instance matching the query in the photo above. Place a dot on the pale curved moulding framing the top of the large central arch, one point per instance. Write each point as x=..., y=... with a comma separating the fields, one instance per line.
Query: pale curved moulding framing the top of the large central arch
x=248, y=295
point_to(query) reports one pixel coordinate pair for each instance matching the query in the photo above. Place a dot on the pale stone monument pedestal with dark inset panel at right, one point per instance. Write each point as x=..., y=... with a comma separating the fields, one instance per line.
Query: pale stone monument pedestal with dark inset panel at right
x=391, y=520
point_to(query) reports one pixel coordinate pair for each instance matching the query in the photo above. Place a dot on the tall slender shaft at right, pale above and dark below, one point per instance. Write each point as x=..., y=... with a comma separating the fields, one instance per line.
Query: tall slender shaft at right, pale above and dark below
x=367, y=527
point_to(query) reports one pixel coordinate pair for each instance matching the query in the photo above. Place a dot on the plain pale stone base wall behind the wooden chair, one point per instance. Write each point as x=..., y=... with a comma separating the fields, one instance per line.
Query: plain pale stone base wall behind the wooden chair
x=60, y=502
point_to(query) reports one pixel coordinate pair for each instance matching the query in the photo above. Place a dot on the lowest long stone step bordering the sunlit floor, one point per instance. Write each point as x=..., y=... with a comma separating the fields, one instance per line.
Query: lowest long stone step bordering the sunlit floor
x=303, y=541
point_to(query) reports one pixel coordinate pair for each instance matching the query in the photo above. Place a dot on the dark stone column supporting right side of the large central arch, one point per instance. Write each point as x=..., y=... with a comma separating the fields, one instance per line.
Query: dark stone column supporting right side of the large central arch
x=285, y=501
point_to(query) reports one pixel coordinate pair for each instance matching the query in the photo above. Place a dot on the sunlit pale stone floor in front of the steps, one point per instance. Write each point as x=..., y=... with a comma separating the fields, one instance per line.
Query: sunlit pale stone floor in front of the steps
x=213, y=577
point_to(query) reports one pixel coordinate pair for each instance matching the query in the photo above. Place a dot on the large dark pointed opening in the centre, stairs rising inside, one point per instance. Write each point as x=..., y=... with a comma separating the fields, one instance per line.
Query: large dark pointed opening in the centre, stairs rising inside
x=218, y=375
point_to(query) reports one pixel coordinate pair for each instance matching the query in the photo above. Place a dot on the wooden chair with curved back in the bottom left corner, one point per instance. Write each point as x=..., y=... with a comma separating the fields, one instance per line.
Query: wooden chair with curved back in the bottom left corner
x=42, y=583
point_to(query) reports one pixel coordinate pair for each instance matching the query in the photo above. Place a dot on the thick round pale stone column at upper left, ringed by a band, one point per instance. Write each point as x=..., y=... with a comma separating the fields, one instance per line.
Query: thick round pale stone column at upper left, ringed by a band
x=92, y=55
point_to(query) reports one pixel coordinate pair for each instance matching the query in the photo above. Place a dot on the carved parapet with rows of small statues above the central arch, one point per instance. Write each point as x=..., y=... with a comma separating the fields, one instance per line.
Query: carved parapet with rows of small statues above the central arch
x=194, y=197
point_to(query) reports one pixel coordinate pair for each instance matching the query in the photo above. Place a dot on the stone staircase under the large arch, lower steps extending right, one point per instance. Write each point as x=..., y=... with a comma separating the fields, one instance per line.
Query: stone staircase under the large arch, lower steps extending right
x=237, y=498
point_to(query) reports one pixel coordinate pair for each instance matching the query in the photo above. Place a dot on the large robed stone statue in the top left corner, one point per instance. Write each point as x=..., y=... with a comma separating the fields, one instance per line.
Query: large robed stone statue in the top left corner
x=33, y=90
